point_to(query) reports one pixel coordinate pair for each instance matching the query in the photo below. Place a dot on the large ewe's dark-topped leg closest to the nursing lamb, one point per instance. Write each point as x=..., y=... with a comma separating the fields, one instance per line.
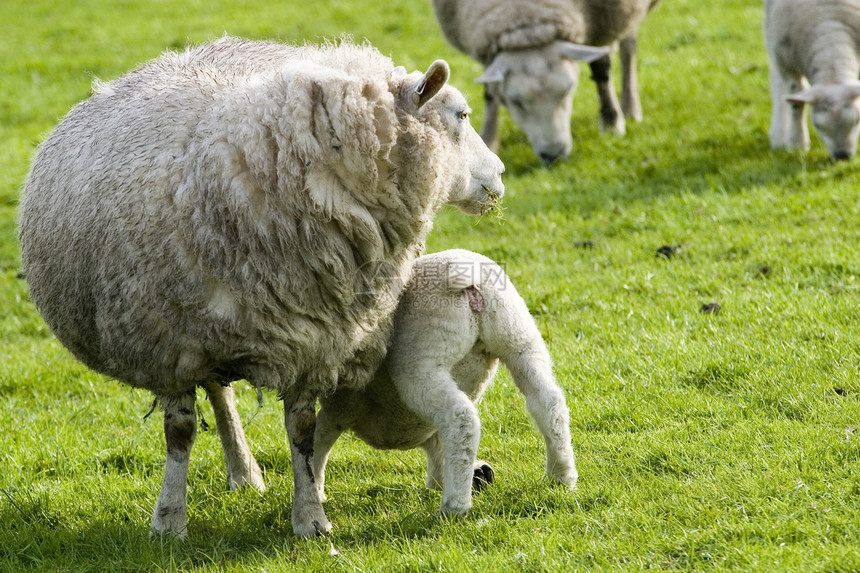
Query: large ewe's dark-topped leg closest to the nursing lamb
x=300, y=420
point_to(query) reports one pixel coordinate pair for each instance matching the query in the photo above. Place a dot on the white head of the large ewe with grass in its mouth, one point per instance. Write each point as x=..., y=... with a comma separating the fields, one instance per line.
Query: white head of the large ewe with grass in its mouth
x=476, y=172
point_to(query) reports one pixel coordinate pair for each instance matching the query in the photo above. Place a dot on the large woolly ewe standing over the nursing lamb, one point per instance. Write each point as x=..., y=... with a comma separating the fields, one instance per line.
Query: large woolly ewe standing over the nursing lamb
x=244, y=210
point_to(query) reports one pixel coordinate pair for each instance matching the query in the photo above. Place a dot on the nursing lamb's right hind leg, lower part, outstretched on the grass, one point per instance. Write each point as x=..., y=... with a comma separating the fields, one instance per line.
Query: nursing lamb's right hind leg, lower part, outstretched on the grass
x=532, y=374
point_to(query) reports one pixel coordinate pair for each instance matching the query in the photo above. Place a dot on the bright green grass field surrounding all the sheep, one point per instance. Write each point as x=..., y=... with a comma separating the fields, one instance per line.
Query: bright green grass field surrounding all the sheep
x=704, y=441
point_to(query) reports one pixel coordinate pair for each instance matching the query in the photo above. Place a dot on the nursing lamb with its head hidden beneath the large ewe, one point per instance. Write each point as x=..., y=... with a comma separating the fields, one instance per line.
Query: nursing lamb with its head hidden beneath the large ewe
x=458, y=316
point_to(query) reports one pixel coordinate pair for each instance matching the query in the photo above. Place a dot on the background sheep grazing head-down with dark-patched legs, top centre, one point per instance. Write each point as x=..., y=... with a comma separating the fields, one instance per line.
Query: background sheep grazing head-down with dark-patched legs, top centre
x=529, y=48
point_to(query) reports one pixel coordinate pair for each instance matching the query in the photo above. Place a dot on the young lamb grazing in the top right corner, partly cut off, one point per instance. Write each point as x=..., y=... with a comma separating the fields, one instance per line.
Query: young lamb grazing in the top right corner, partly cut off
x=814, y=42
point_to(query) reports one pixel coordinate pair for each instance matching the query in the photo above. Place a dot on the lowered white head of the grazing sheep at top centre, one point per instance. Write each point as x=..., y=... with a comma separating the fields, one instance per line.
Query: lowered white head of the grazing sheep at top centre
x=537, y=87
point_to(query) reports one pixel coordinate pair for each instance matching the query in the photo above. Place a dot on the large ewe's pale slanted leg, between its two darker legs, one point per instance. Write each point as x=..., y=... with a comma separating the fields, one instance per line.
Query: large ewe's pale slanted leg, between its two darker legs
x=242, y=468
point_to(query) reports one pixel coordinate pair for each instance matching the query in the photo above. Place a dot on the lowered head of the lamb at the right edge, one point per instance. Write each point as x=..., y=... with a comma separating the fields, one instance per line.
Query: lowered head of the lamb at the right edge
x=835, y=115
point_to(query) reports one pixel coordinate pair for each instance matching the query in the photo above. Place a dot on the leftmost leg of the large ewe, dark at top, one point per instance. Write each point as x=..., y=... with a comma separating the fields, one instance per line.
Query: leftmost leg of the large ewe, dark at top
x=180, y=429
